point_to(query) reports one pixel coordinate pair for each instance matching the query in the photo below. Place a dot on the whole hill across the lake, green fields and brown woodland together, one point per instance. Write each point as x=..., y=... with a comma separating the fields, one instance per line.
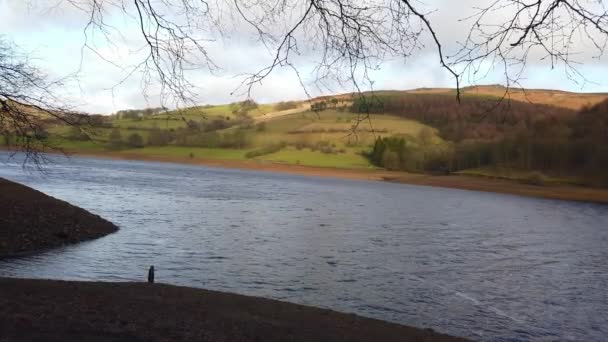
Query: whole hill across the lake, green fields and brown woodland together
x=420, y=130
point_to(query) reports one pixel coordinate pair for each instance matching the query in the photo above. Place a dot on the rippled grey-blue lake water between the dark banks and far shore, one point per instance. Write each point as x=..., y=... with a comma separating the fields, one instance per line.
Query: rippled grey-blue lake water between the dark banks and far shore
x=480, y=265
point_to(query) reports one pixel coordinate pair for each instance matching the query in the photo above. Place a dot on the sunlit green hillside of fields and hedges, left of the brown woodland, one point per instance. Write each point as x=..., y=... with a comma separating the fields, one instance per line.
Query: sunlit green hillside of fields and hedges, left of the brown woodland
x=326, y=138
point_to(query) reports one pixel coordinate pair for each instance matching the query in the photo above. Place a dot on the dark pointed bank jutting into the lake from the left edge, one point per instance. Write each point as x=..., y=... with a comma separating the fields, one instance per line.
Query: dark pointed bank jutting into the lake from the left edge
x=31, y=221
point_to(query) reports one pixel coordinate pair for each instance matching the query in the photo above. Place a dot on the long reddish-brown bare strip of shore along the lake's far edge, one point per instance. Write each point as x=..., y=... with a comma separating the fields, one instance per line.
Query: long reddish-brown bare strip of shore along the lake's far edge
x=463, y=182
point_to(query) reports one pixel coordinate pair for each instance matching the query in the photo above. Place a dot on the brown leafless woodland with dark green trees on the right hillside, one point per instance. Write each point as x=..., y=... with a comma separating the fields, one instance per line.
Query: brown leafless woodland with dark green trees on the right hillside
x=497, y=133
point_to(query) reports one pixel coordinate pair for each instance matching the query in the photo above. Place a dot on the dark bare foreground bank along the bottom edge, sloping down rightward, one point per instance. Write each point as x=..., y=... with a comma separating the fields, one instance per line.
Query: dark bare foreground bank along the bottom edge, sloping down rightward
x=44, y=310
